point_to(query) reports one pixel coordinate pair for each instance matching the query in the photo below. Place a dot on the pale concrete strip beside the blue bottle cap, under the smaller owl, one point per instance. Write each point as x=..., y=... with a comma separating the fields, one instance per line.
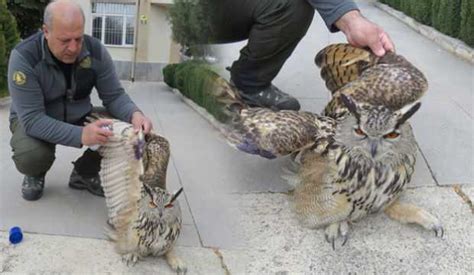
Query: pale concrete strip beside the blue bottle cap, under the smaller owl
x=43, y=254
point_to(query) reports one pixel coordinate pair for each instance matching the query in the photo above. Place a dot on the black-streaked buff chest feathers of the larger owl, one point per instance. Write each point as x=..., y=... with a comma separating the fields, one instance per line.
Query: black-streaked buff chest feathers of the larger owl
x=368, y=184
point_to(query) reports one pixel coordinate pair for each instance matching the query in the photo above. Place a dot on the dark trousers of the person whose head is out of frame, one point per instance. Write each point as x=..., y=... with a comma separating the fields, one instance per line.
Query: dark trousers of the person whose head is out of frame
x=273, y=27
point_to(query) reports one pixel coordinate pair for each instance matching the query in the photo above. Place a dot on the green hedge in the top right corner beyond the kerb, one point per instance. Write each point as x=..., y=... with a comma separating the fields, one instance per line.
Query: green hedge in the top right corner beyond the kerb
x=452, y=17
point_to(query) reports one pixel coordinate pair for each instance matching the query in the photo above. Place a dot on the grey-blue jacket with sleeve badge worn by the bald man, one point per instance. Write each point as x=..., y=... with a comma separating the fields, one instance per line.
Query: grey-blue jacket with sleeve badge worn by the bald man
x=40, y=100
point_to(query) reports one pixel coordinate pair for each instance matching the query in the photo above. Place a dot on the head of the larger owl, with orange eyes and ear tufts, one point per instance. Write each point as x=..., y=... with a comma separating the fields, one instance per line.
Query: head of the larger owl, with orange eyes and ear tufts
x=374, y=130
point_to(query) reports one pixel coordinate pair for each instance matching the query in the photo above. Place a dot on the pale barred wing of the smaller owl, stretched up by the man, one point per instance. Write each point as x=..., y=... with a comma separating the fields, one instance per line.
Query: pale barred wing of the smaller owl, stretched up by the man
x=121, y=170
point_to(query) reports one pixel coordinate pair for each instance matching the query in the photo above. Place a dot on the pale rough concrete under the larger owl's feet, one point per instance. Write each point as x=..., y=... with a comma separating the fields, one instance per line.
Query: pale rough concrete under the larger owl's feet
x=279, y=244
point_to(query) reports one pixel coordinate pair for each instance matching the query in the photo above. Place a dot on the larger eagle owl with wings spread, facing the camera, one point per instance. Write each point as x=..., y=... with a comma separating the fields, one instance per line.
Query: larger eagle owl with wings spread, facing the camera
x=358, y=156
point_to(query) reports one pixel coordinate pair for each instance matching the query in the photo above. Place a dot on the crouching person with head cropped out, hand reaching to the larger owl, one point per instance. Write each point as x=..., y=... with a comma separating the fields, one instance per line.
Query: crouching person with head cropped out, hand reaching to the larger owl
x=273, y=29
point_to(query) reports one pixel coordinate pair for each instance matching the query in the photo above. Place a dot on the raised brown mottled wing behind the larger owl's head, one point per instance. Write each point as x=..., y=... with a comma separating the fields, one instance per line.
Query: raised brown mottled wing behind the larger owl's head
x=390, y=80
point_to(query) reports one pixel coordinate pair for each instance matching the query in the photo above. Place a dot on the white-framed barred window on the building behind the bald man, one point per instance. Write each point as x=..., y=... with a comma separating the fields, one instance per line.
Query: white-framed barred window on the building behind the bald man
x=124, y=17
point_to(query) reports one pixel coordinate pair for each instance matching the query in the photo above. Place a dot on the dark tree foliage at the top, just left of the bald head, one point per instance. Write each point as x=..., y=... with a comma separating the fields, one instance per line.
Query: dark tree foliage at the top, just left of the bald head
x=31, y=14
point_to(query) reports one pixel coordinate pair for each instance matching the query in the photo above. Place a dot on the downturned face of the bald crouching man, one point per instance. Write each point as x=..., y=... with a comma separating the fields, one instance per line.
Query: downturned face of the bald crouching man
x=65, y=38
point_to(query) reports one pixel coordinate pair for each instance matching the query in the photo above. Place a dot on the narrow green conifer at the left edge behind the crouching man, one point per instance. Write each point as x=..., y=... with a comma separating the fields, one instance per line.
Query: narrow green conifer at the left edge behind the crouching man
x=8, y=39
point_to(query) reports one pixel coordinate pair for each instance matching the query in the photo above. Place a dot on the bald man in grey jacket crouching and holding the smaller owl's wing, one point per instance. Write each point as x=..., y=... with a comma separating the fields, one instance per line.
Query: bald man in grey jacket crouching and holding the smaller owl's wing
x=51, y=75
